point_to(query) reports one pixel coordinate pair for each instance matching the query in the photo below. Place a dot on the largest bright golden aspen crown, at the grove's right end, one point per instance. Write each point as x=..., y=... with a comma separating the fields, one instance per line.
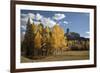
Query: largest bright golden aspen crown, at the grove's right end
x=57, y=38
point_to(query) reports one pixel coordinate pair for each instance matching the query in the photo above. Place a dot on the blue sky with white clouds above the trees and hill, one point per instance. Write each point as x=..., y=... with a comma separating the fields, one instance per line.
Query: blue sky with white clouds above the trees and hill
x=75, y=21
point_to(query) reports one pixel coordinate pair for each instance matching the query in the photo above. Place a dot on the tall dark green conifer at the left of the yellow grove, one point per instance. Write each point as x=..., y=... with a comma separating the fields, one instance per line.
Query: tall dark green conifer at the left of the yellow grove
x=28, y=41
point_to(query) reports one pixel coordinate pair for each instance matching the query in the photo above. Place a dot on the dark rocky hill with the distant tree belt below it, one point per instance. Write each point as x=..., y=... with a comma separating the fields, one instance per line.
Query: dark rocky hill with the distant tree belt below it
x=75, y=42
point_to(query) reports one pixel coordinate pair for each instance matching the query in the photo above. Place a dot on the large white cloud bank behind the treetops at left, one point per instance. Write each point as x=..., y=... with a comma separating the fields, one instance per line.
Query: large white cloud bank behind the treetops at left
x=34, y=19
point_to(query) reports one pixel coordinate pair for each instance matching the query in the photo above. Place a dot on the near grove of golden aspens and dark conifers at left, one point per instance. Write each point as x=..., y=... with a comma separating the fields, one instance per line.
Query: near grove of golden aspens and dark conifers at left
x=40, y=40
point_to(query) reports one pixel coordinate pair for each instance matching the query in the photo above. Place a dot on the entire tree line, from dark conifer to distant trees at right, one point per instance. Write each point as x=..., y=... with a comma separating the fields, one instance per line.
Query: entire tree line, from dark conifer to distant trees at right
x=44, y=41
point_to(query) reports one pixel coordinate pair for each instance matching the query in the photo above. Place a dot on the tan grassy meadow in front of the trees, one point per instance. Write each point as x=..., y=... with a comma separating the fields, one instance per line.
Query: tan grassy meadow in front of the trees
x=66, y=56
